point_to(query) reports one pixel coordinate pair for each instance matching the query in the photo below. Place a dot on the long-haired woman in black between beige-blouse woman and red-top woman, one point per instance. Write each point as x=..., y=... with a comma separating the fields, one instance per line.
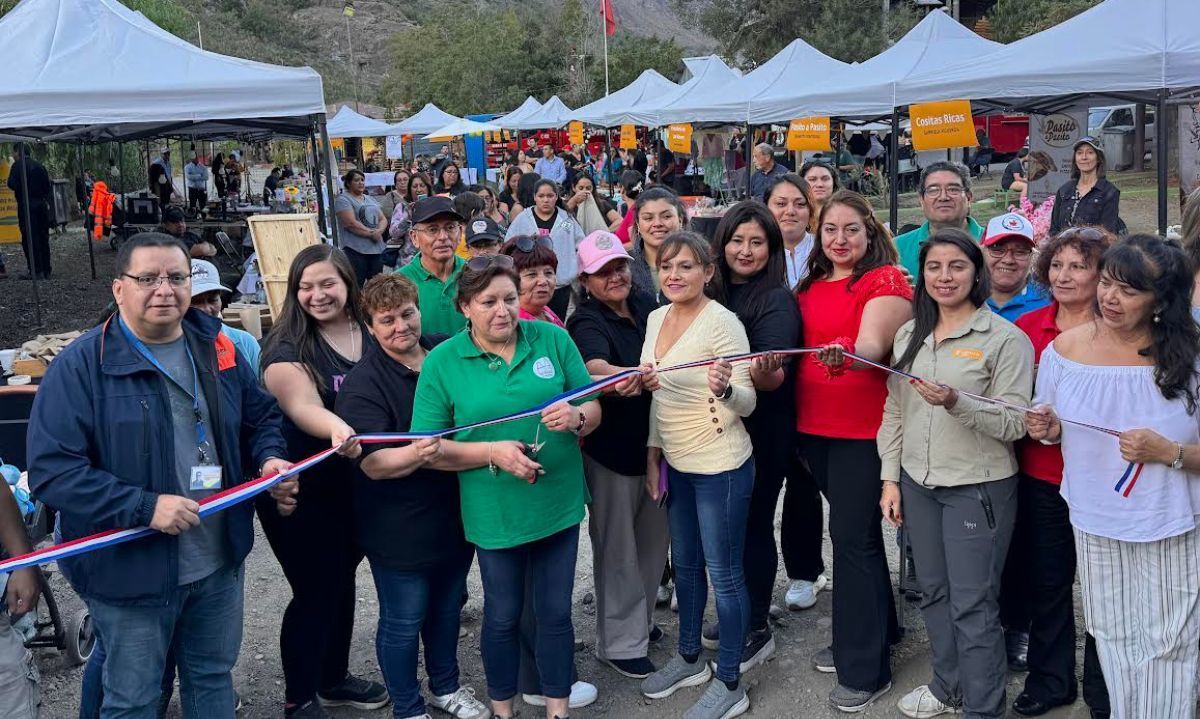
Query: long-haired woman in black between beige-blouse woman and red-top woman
x=749, y=249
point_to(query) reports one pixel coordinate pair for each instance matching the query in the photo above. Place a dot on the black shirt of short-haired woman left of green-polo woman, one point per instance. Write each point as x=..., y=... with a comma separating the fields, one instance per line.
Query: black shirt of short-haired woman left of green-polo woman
x=407, y=524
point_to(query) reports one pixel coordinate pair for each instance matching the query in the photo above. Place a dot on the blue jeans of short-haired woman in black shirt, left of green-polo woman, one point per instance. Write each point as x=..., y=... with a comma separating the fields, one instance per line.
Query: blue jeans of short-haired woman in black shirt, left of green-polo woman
x=415, y=608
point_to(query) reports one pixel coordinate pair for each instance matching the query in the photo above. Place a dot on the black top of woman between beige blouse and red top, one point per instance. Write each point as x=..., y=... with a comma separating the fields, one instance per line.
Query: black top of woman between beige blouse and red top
x=775, y=325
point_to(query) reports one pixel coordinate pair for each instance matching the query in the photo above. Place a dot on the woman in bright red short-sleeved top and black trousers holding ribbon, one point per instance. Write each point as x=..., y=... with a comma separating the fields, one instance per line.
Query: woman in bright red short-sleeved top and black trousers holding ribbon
x=854, y=299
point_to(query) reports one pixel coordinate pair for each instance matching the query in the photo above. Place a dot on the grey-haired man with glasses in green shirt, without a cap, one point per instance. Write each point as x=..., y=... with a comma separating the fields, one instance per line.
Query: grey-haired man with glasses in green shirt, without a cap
x=946, y=201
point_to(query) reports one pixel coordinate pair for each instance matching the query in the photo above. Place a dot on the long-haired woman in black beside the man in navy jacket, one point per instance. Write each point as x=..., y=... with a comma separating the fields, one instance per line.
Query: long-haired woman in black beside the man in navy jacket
x=316, y=341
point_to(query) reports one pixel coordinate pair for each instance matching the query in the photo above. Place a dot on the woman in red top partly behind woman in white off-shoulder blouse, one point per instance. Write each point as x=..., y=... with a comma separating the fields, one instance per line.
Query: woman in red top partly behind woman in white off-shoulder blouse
x=1069, y=265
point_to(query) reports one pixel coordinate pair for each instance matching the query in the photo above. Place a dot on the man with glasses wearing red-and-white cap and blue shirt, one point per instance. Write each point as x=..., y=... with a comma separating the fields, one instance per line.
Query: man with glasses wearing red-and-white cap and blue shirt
x=1009, y=251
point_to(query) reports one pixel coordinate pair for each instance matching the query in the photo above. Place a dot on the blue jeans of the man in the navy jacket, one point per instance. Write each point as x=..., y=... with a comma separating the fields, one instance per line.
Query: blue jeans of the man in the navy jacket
x=206, y=620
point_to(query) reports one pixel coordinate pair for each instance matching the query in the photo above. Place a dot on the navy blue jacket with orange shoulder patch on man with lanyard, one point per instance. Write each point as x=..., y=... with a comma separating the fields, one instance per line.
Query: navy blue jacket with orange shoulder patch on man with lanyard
x=101, y=451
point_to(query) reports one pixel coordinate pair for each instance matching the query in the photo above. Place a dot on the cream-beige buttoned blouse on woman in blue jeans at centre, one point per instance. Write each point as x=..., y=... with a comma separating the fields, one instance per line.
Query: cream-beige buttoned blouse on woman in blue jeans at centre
x=698, y=433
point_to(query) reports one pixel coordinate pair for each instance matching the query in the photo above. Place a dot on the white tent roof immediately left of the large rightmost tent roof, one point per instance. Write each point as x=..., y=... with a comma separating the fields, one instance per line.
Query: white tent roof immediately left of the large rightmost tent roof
x=869, y=89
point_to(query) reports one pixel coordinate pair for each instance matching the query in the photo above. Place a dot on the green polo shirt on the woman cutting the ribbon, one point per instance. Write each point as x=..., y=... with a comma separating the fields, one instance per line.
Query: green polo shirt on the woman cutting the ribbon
x=460, y=385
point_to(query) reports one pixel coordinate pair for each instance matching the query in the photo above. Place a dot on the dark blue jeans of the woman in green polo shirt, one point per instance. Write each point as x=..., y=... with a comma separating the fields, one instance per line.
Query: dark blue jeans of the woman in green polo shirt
x=550, y=565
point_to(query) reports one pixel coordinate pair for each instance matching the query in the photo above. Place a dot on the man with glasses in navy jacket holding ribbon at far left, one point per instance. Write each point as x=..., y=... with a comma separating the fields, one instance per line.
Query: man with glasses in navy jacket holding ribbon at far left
x=136, y=423
